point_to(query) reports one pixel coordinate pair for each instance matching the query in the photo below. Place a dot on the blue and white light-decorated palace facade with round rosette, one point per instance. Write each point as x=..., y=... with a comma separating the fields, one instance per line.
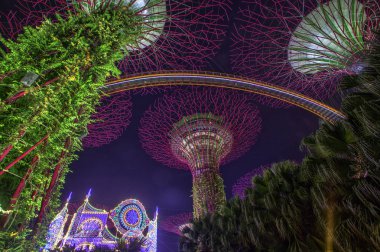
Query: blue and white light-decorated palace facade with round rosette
x=87, y=230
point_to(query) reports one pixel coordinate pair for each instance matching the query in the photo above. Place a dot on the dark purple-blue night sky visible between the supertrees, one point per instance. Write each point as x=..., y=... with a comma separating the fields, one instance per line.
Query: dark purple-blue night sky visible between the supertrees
x=123, y=170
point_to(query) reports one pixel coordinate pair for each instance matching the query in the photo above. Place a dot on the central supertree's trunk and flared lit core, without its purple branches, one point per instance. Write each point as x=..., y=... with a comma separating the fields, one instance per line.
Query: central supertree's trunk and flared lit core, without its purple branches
x=201, y=141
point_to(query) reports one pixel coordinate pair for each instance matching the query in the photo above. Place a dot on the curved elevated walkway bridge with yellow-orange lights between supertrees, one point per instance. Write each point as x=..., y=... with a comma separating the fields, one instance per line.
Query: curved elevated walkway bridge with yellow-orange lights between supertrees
x=211, y=79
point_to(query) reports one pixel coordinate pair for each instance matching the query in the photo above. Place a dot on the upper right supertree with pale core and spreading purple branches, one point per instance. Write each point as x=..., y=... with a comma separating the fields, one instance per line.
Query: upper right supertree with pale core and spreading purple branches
x=303, y=45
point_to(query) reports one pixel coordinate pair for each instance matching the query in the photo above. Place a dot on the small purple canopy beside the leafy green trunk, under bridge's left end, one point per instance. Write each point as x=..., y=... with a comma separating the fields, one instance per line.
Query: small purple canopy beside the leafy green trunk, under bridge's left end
x=111, y=118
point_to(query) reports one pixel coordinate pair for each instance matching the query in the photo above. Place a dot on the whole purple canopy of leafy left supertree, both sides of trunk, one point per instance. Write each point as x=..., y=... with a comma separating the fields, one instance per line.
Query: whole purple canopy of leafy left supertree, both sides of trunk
x=184, y=34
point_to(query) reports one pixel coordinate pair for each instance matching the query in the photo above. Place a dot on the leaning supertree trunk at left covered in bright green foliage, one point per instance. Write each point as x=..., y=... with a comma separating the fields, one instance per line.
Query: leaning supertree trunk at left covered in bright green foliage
x=49, y=86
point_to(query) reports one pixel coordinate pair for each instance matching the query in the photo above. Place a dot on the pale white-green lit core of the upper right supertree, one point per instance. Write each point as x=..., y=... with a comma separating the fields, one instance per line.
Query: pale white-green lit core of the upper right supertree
x=330, y=37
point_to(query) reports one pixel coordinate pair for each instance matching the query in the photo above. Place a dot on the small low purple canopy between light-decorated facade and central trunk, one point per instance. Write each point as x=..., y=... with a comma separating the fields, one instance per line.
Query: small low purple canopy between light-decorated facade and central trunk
x=174, y=224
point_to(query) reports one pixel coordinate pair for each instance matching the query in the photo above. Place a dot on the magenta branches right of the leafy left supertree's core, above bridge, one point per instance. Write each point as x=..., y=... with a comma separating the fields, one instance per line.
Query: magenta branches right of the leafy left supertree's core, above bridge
x=192, y=33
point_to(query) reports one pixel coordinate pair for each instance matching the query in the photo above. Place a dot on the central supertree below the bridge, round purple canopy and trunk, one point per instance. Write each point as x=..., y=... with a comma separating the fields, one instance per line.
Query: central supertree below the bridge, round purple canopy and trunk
x=198, y=130
